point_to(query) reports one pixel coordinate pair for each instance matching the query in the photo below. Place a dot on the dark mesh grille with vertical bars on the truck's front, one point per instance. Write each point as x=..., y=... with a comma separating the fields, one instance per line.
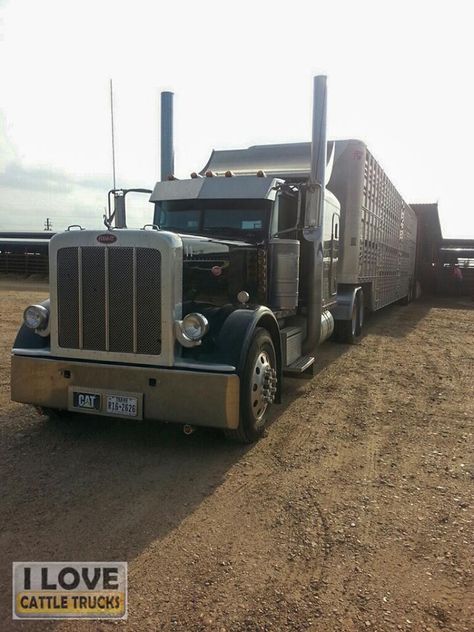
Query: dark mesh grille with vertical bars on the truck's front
x=109, y=299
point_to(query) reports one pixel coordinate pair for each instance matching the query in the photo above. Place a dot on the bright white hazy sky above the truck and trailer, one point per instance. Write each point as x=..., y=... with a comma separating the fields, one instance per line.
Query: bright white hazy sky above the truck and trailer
x=399, y=77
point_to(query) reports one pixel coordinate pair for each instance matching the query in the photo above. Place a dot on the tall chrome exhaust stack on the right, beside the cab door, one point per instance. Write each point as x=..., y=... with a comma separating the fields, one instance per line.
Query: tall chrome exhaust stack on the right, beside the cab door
x=313, y=228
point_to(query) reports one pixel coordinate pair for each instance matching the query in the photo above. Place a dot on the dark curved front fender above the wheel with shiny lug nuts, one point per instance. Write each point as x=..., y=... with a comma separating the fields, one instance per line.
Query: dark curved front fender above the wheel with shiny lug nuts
x=236, y=334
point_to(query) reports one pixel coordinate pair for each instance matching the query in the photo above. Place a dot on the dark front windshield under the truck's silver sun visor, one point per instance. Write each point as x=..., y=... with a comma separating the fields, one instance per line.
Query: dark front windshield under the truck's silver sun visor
x=234, y=218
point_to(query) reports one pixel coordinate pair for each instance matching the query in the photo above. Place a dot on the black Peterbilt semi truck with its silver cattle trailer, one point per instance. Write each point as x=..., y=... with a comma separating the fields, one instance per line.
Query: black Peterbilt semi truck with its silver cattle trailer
x=247, y=267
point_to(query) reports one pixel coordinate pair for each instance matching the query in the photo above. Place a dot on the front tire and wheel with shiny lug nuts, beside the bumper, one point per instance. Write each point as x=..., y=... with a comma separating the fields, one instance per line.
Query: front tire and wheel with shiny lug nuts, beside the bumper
x=258, y=382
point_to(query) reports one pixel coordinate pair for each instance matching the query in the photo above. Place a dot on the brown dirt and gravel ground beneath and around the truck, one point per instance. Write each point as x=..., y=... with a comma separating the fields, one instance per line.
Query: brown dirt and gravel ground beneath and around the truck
x=354, y=513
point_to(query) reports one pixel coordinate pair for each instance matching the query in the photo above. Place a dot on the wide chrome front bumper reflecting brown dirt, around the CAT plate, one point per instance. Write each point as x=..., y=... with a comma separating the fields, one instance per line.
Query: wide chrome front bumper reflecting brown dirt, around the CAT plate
x=193, y=397
